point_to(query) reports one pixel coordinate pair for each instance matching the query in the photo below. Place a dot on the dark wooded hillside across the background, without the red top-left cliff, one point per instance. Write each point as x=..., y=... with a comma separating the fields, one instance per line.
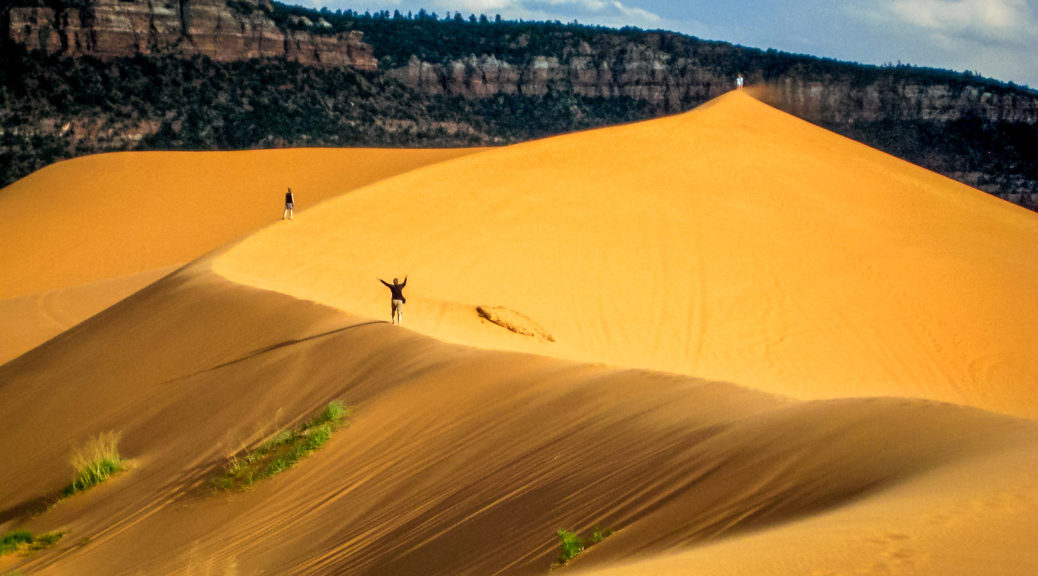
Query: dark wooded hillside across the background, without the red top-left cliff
x=478, y=80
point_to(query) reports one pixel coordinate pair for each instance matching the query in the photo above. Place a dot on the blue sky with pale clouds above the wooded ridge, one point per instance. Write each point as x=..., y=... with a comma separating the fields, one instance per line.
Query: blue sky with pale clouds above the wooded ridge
x=996, y=39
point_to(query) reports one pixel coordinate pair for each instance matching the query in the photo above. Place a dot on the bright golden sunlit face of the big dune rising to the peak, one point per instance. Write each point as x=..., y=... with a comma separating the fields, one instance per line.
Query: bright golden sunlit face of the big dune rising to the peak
x=734, y=243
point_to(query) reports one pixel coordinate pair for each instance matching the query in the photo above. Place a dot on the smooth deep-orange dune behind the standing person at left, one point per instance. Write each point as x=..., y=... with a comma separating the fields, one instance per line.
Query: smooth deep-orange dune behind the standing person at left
x=118, y=215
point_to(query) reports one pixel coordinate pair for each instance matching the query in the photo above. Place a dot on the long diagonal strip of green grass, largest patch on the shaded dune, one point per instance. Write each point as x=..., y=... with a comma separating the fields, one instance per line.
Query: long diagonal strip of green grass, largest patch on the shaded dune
x=284, y=450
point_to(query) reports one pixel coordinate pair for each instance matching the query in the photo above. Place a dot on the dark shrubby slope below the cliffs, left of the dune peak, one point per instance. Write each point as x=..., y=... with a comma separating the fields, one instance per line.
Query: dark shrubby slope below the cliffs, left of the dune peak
x=59, y=108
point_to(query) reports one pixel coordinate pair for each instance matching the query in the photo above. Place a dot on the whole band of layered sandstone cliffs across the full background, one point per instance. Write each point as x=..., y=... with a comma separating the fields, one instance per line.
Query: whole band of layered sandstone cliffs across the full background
x=666, y=71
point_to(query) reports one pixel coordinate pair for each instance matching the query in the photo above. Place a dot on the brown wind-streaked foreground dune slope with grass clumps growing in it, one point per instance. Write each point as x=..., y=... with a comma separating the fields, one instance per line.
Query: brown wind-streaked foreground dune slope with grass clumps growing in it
x=462, y=461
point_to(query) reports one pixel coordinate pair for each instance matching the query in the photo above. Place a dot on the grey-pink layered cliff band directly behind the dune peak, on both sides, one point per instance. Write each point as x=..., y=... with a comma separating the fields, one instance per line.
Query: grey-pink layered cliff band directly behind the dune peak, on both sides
x=673, y=83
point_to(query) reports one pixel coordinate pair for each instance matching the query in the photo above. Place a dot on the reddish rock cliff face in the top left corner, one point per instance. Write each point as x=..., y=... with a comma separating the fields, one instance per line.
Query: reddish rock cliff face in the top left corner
x=112, y=29
